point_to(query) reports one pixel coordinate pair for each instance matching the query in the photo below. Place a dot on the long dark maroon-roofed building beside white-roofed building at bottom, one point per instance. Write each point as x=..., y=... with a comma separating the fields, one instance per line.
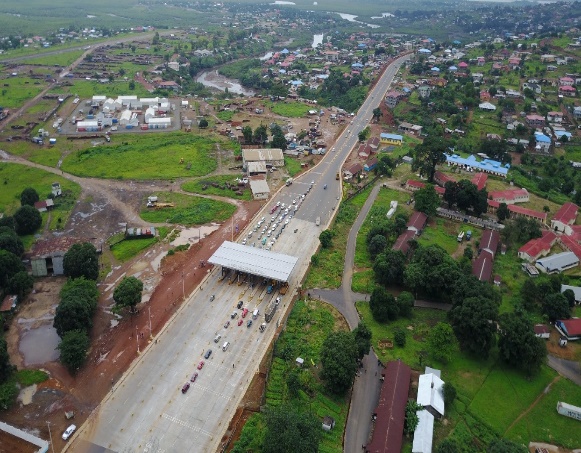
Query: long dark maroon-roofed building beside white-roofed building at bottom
x=390, y=411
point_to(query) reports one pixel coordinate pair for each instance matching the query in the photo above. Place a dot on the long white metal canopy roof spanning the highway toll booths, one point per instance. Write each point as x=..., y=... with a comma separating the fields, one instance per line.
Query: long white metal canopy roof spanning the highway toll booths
x=255, y=261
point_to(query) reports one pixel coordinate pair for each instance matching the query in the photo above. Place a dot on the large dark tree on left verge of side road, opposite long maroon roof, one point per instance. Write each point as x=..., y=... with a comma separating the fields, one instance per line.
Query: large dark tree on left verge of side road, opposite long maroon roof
x=339, y=360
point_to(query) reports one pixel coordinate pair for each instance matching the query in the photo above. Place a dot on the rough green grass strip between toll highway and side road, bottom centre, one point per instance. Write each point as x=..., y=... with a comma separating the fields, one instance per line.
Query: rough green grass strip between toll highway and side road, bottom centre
x=309, y=323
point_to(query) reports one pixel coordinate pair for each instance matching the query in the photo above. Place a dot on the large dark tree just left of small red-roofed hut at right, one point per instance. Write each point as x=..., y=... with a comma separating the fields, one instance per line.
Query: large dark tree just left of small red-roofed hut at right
x=517, y=344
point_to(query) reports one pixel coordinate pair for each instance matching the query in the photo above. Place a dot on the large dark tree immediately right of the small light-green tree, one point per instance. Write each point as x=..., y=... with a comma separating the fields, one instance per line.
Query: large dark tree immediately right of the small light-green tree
x=474, y=323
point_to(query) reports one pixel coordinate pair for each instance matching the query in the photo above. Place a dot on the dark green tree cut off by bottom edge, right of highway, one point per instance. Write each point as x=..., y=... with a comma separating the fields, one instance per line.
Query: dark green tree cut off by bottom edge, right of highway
x=287, y=429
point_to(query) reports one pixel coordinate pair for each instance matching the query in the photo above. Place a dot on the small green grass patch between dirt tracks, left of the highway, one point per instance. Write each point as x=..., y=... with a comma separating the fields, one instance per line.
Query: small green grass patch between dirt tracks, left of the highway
x=188, y=210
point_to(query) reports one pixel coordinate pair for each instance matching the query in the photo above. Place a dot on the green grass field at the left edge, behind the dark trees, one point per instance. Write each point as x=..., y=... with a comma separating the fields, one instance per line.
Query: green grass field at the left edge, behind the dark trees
x=15, y=178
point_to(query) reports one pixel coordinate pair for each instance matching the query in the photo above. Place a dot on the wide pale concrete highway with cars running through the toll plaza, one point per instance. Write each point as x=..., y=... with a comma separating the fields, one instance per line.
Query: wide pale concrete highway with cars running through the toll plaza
x=146, y=410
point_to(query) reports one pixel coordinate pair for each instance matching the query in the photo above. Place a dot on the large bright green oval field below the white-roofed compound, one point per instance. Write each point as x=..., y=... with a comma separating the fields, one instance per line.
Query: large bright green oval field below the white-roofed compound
x=145, y=156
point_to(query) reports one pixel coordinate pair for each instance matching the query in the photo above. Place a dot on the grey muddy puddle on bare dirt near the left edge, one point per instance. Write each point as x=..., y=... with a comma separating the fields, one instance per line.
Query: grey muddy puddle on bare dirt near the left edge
x=38, y=345
